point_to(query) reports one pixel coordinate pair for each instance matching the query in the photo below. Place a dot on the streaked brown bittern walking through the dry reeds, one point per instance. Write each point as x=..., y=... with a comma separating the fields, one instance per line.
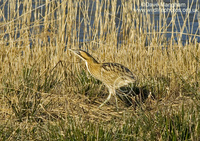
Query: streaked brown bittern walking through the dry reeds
x=113, y=75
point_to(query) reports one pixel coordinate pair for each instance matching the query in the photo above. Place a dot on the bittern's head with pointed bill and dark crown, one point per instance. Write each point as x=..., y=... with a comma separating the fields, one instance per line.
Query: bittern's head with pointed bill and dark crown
x=83, y=55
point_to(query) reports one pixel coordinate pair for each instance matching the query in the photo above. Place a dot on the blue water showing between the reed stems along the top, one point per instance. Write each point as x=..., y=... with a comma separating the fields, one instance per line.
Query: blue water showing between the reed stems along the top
x=191, y=30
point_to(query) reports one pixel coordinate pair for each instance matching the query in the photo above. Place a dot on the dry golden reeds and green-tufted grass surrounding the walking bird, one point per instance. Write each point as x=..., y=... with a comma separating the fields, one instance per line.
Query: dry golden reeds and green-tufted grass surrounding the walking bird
x=46, y=94
